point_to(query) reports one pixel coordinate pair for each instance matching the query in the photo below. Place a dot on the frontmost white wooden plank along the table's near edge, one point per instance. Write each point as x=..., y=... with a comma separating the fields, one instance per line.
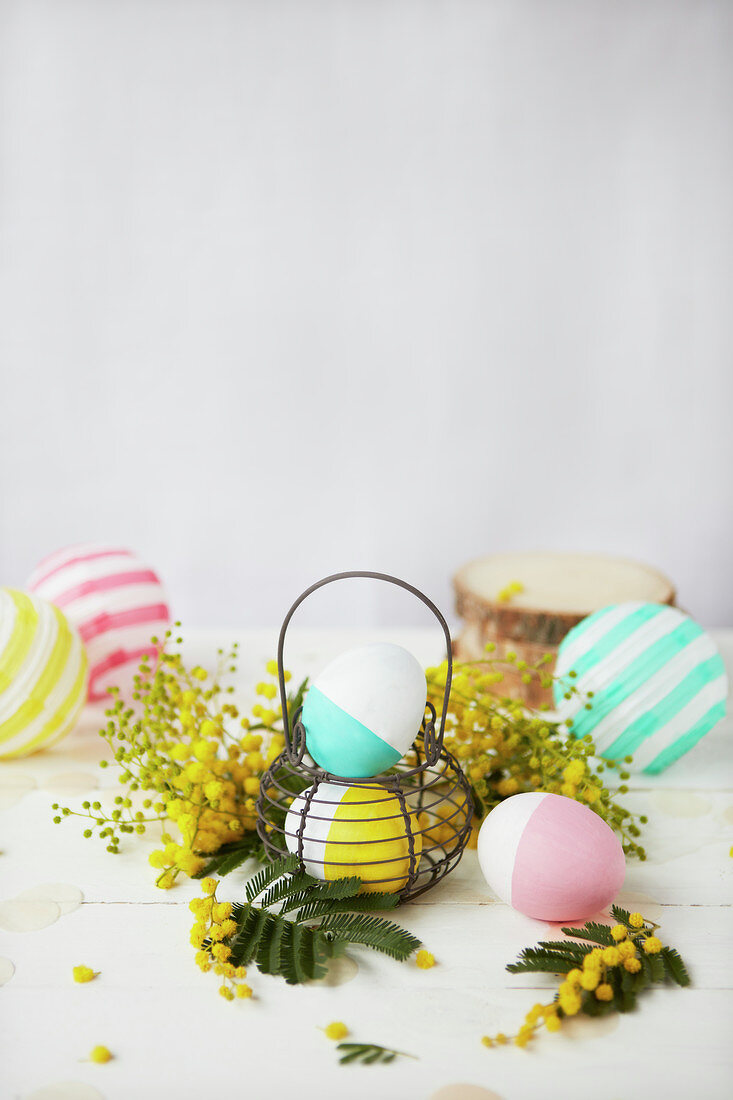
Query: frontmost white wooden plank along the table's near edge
x=170, y=1042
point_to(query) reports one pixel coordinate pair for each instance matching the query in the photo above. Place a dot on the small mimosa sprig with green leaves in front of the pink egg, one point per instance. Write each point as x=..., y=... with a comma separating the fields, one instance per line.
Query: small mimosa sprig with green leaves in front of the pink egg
x=598, y=980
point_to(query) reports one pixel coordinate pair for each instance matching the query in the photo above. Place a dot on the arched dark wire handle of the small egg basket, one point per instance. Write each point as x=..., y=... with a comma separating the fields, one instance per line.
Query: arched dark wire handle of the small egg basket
x=296, y=743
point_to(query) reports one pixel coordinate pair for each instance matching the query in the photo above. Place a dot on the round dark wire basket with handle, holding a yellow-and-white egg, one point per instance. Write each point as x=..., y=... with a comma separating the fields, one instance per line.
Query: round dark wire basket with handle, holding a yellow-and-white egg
x=420, y=812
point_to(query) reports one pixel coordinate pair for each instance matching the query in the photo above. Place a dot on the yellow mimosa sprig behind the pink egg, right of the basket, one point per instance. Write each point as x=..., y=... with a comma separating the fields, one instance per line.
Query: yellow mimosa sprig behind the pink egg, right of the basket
x=507, y=749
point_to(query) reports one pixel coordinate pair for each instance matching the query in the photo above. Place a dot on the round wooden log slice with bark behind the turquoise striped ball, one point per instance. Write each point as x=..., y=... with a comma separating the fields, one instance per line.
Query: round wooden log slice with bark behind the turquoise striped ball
x=560, y=590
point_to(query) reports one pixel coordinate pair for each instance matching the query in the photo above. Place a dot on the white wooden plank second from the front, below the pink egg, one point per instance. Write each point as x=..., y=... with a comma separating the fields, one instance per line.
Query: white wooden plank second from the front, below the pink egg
x=473, y=945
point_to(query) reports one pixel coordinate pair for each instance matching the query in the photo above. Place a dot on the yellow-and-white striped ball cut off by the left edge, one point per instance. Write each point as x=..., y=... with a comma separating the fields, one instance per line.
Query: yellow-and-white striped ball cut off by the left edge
x=43, y=674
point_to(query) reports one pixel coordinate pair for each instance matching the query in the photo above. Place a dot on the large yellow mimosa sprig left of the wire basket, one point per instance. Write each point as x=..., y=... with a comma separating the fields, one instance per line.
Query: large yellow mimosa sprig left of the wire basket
x=199, y=764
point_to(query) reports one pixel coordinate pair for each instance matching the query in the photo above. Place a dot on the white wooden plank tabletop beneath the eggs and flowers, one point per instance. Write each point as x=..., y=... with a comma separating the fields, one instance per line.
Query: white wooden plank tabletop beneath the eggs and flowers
x=173, y=1037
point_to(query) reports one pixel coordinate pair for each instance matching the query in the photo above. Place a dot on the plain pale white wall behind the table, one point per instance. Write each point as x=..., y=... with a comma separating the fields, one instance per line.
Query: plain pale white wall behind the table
x=299, y=287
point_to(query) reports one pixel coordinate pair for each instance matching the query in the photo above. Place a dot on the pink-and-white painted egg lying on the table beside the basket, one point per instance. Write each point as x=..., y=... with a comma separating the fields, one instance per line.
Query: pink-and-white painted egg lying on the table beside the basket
x=551, y=857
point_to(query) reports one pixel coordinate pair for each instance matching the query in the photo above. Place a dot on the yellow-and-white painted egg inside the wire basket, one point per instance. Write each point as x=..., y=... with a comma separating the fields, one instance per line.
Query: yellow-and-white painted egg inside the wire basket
x=355, y=831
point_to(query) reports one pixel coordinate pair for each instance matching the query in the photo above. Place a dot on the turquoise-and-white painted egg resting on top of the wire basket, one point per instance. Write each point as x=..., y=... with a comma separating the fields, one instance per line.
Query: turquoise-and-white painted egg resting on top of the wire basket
x=365, y=710
